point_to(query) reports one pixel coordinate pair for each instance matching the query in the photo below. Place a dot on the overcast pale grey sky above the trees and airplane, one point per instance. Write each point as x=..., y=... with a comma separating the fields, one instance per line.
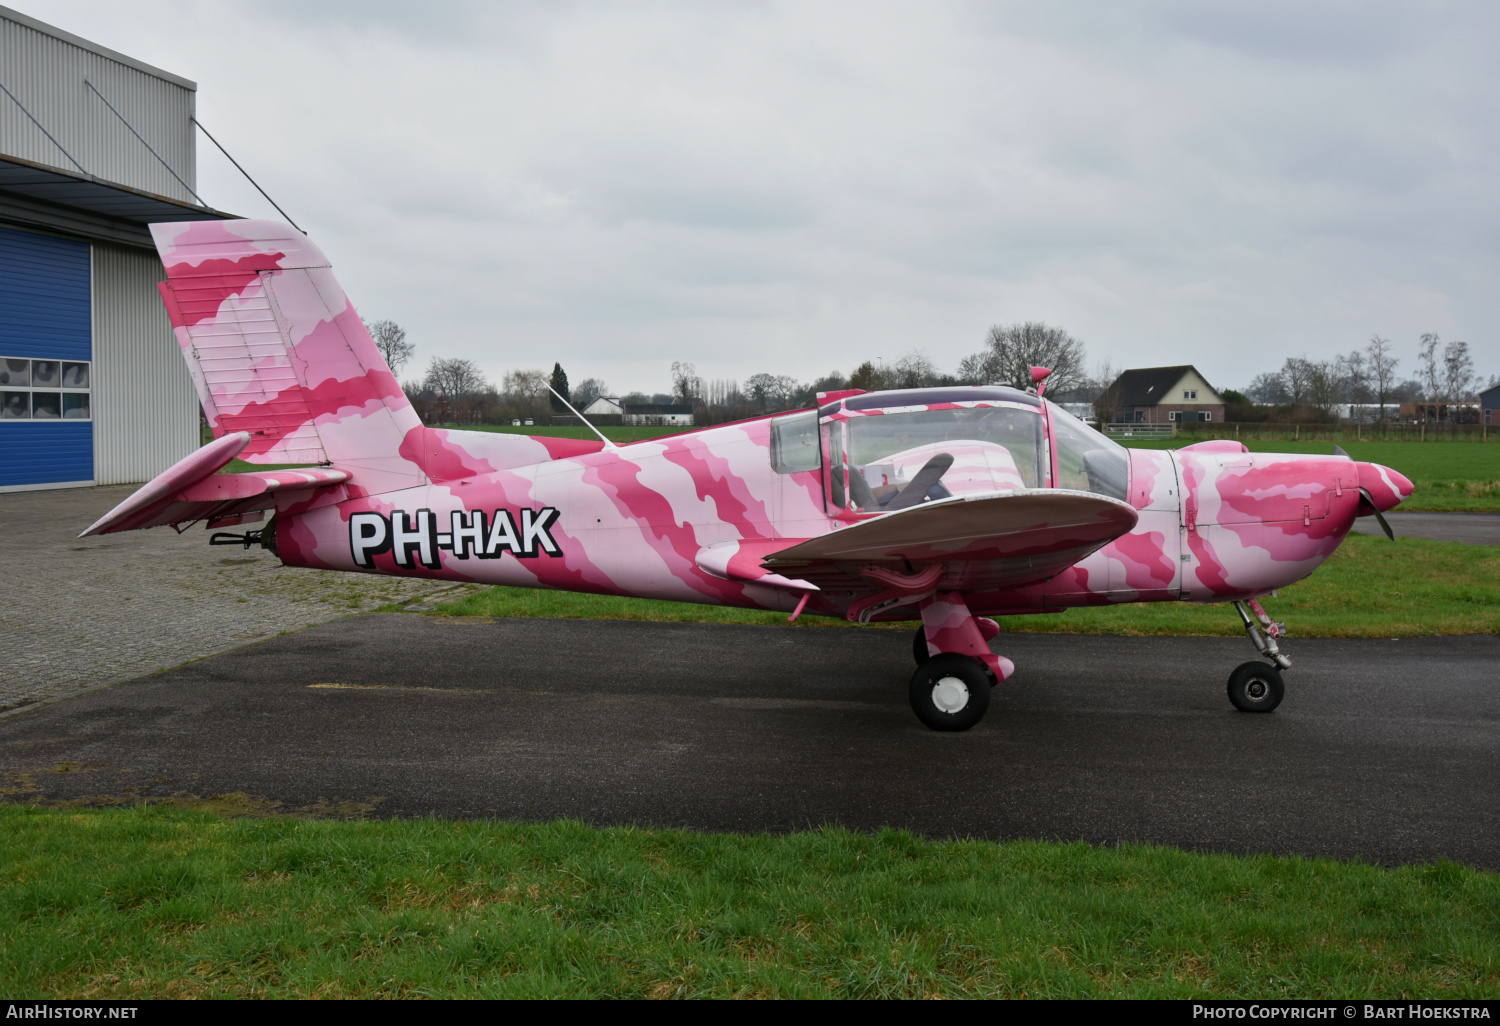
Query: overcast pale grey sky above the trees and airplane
x=800, y=187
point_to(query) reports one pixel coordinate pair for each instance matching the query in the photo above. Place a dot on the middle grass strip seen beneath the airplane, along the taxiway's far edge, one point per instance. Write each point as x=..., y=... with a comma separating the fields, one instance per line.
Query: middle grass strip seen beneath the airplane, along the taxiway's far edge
x=1370, y=589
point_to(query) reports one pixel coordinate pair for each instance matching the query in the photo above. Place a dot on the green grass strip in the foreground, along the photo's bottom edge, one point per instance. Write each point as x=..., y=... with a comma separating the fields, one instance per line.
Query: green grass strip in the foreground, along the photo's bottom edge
x=157, y=902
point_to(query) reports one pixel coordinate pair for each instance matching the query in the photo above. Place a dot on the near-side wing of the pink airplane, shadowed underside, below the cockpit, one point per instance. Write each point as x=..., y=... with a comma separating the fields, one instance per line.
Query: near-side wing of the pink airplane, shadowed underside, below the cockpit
x=1001, y=539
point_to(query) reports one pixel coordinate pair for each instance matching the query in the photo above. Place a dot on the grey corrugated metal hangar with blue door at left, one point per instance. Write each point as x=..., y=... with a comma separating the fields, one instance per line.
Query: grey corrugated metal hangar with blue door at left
x=94, y=148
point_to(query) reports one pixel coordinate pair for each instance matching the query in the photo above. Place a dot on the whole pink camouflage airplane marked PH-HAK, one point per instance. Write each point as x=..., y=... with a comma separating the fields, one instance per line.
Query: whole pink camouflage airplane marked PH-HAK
x=953, y=505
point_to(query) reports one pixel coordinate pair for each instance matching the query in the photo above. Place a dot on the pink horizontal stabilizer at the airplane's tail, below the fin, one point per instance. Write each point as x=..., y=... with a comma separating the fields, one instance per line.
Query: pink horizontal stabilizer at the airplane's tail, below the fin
x=193, y=490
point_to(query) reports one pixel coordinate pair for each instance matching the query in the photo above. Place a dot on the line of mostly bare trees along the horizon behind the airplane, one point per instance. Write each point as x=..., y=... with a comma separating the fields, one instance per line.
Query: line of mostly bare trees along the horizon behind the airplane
x=455, y=391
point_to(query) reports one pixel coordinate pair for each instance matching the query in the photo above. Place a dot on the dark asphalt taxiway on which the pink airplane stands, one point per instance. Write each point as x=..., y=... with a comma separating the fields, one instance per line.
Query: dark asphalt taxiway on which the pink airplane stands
x=1384, y=751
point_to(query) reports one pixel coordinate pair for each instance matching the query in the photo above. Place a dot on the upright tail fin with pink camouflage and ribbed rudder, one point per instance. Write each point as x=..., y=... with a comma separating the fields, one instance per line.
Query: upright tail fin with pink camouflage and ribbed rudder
x=278, y=352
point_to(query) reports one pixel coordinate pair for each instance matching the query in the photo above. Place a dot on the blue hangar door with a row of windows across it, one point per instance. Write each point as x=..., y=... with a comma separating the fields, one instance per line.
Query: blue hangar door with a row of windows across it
x=46, y=361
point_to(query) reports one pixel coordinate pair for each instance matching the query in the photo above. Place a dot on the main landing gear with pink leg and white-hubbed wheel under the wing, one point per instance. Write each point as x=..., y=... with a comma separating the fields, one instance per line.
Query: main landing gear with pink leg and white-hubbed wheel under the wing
x=955, y=665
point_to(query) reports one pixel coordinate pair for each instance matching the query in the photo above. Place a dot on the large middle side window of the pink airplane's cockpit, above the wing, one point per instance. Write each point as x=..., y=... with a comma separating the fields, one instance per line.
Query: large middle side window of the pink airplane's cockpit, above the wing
x=899, y=460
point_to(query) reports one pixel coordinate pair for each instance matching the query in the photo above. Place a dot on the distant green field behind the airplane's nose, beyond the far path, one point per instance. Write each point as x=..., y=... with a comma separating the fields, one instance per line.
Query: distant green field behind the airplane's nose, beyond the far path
x=1450, y=476
